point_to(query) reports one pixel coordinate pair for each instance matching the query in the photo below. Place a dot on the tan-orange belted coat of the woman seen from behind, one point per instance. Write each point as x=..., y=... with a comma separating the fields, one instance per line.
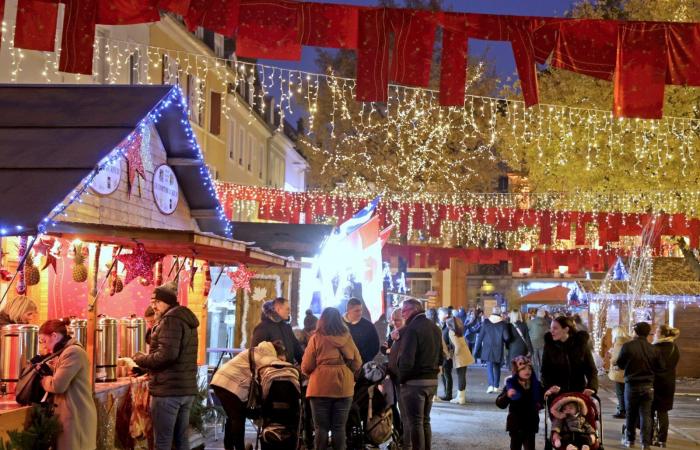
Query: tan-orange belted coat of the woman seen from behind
x=330, y=362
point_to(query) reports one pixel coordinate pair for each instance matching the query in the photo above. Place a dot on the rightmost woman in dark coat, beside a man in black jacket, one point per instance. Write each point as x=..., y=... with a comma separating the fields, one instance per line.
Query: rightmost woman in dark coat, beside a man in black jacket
x=665, y=381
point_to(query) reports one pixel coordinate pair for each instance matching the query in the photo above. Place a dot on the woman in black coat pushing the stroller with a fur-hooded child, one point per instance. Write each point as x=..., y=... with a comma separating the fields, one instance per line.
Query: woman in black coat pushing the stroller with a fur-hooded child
x=567, y=362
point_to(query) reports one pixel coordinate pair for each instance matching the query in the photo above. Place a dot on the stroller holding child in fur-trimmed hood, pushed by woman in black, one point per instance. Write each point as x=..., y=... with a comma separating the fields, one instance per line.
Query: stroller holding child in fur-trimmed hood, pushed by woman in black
x=574, y=418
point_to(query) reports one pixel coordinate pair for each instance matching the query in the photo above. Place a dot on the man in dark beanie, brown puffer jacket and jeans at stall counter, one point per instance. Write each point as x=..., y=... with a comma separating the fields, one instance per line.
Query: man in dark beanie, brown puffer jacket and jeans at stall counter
x=172, y=365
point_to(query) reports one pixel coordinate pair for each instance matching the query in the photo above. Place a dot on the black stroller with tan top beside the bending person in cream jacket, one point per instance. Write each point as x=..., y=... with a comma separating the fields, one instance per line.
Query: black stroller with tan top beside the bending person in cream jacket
x=279, y=425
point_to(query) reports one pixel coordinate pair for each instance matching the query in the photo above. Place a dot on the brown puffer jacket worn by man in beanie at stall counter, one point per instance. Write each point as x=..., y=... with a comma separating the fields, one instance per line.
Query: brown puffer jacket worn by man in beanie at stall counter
x=172, y=358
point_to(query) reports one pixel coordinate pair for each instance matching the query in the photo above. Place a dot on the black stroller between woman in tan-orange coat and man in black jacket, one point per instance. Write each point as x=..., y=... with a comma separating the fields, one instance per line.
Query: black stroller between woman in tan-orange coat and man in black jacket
x=370, y=422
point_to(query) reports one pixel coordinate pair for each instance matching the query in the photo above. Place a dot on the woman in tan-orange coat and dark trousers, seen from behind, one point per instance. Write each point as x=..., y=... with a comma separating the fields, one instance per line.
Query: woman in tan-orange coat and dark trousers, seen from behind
x=330, y=361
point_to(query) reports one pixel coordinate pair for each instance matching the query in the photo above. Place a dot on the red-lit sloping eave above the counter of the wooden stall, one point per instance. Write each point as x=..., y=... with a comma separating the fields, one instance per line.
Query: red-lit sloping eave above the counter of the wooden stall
x=206, y=246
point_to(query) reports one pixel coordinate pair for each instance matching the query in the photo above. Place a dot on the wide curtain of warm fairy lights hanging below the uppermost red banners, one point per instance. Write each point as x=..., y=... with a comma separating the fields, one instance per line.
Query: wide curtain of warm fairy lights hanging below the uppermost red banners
x=411, y=139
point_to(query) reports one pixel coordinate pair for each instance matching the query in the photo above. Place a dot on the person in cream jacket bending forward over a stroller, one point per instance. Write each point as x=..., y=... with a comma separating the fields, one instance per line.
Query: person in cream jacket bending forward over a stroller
x=231, y=384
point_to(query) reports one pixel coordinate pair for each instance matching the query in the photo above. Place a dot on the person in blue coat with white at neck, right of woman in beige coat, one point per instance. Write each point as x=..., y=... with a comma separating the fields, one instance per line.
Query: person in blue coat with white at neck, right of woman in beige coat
x=494, y=334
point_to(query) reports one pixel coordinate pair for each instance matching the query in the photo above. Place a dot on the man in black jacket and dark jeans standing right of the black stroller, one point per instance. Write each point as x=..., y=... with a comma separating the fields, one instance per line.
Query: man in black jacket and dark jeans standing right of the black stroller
x=419, y=363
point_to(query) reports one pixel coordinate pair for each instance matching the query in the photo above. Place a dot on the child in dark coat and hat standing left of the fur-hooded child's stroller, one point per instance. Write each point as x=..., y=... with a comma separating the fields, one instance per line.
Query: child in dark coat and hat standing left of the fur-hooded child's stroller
x=522, y=395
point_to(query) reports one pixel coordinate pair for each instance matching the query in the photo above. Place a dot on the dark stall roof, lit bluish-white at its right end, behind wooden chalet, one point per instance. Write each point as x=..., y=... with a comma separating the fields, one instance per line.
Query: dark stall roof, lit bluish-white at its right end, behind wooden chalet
x=298, y=240
